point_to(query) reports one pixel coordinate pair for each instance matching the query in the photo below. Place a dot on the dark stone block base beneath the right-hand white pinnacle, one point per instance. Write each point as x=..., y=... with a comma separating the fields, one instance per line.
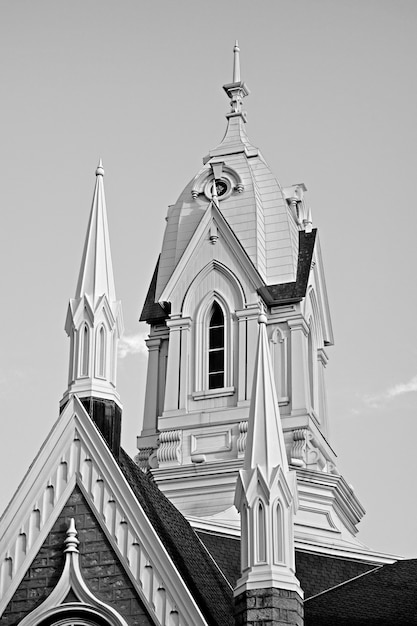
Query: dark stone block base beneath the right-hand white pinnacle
x=272, y=607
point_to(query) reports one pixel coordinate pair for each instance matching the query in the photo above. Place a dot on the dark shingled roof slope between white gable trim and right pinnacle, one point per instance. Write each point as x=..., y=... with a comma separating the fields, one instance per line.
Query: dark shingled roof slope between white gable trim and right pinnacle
x=207, y=584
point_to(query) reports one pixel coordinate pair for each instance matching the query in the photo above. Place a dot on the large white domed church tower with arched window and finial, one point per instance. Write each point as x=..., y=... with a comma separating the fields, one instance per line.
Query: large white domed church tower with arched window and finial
x=237, y=244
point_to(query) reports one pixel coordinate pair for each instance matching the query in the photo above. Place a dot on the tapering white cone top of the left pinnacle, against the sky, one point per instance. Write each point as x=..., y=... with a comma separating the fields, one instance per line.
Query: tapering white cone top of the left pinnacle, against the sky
x=96, y=272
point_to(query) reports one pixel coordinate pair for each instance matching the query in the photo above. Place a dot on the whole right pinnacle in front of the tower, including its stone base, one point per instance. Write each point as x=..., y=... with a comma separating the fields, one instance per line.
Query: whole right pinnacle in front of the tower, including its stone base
x=266, y=498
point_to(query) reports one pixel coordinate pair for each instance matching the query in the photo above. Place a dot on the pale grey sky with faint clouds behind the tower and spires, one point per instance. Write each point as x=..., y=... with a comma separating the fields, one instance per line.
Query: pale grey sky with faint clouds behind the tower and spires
x=333, y=104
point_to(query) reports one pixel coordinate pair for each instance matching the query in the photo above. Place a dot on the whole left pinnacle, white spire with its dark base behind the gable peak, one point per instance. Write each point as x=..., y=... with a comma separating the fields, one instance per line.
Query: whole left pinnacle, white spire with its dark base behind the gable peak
x=94, y=324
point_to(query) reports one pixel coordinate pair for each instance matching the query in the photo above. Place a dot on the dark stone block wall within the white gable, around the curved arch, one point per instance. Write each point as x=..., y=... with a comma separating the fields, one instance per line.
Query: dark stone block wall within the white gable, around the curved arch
x=100, y=568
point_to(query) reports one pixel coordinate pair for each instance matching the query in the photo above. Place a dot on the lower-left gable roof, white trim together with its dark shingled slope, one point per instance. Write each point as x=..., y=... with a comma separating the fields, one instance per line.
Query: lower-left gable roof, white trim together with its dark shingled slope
x=142, y=526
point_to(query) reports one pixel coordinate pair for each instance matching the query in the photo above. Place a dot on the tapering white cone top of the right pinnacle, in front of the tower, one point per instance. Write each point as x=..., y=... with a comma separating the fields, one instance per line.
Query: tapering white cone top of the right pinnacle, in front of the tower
x=265, y=445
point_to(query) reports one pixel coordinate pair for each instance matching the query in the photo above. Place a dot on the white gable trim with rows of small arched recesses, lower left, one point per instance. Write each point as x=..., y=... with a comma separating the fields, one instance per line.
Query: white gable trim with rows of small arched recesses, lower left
x=75, y=443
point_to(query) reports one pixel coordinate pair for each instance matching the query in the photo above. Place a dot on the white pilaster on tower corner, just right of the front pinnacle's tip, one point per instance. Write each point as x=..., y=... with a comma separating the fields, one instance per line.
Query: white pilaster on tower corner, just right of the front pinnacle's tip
x=299, y=366
